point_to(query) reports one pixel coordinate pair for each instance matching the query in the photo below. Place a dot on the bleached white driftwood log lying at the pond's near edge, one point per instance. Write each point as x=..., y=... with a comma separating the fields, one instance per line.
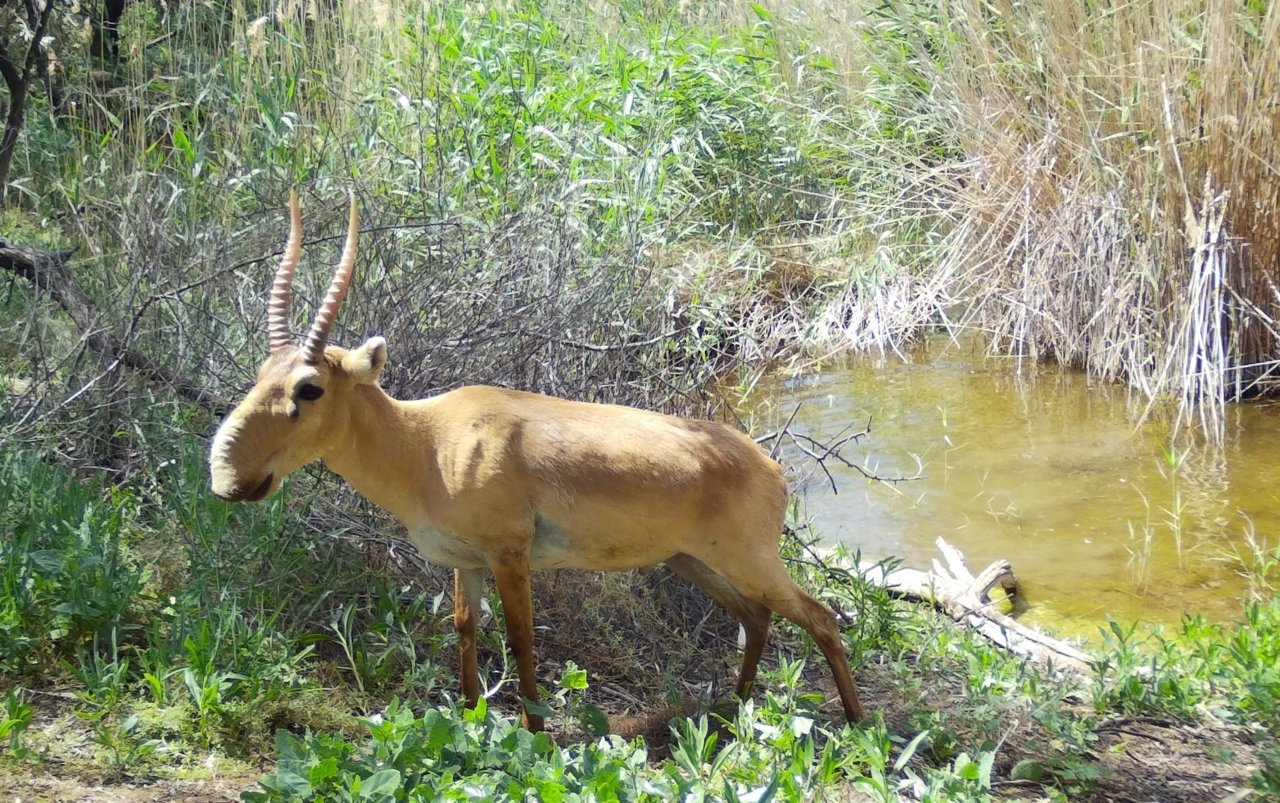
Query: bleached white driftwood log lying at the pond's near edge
x=967, y=599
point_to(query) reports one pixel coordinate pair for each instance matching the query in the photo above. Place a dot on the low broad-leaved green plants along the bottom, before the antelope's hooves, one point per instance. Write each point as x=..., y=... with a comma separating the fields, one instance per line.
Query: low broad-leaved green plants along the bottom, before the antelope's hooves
x=775, y=750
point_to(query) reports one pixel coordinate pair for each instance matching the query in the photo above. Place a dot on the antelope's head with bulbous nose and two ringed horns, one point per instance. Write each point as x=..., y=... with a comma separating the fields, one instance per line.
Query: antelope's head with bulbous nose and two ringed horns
x=296, y=412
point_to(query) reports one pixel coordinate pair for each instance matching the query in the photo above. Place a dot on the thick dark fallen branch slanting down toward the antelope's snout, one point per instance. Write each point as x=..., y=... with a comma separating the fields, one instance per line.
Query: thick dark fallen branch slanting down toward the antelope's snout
x=48, y=272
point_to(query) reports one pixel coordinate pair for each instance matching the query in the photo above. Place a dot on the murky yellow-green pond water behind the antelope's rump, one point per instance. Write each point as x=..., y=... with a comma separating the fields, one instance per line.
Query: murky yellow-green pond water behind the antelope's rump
x=1039, y=466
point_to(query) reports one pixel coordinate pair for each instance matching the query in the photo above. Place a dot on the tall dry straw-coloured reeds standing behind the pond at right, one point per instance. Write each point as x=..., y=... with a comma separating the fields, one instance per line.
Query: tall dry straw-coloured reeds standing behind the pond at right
x=1118, y=204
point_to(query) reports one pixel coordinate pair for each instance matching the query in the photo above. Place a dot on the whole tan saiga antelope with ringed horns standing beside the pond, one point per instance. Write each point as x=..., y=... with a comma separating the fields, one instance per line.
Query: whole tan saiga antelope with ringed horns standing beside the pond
x=495, y=480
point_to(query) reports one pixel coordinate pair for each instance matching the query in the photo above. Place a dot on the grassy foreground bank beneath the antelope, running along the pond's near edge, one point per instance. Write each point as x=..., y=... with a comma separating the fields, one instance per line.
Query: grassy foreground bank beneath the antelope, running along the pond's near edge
x=173, y=637
